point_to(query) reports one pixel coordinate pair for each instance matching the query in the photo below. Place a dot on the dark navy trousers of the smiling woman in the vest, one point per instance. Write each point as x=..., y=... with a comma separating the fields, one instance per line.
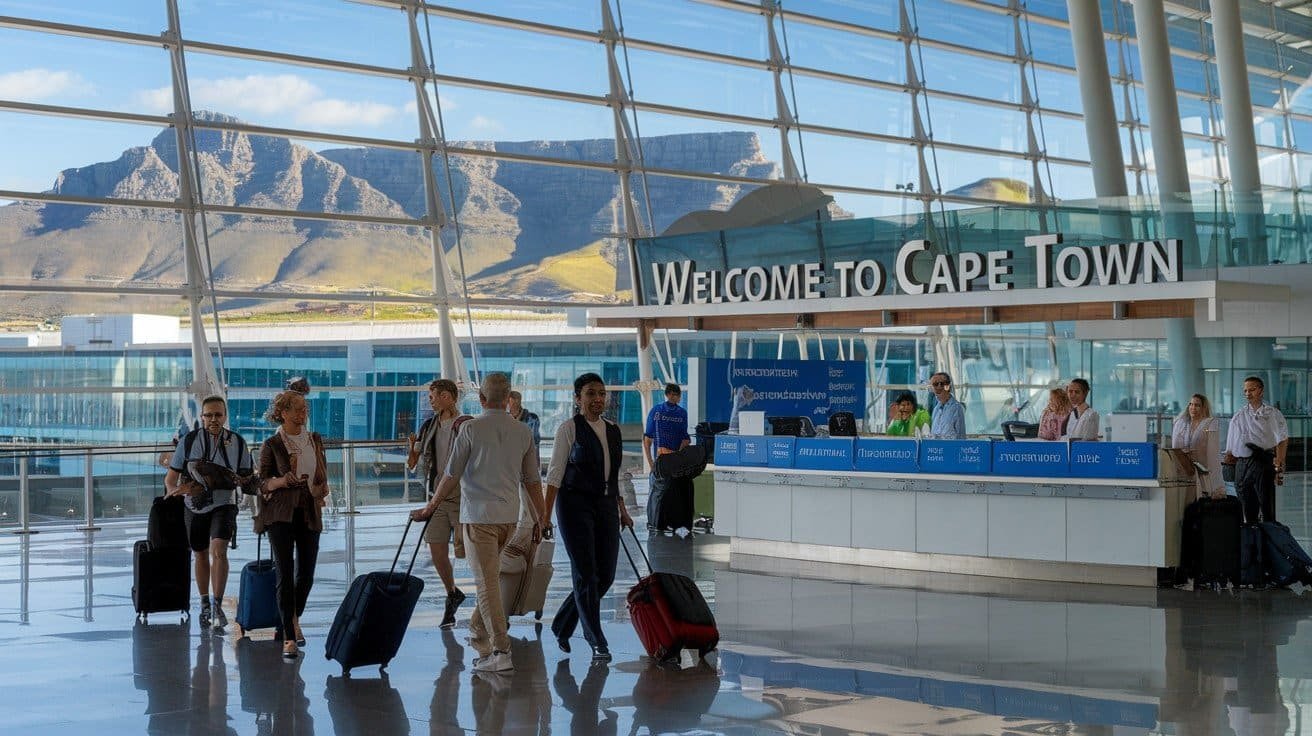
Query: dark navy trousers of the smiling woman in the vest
x=590, y=528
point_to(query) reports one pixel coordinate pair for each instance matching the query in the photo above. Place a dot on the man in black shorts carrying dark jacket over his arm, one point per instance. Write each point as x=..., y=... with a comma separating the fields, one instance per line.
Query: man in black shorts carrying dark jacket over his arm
x=212, y=515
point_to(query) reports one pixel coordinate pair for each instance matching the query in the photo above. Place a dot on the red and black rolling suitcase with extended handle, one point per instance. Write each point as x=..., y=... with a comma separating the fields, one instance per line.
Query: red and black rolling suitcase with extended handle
x=670, y=613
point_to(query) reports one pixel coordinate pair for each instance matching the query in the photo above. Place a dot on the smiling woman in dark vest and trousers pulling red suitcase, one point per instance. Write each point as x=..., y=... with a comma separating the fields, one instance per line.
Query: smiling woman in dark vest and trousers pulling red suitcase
x=583, y=486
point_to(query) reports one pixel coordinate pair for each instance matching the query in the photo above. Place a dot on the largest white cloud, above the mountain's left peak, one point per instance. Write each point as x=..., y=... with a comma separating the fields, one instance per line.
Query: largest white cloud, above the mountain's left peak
x=271, y=96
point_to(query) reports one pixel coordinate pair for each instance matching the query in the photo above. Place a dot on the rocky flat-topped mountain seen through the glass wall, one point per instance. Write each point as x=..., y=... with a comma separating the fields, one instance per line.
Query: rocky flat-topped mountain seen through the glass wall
x=515, y=217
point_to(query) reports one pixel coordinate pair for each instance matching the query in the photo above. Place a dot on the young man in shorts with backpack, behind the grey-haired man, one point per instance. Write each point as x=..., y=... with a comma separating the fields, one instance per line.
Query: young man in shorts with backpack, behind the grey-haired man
x=430, y=453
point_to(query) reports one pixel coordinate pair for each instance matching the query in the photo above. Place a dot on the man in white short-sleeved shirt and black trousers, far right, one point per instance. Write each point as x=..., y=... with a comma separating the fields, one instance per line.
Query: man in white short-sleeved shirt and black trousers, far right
x=1259, y=439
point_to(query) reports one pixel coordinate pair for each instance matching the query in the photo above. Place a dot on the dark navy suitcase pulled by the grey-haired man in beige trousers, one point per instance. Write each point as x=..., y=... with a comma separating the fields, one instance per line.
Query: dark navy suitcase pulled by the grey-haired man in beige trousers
x=373, y=617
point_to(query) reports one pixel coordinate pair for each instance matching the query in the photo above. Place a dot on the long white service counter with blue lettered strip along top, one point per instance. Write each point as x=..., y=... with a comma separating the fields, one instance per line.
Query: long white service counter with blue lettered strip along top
x=1087, y=512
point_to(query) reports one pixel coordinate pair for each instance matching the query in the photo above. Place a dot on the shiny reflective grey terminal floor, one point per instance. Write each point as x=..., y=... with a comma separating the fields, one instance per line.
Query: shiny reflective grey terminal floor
x=806, y=649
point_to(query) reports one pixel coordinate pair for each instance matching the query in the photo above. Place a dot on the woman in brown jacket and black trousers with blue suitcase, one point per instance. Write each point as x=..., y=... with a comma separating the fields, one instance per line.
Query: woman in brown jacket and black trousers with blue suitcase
x=295, y=490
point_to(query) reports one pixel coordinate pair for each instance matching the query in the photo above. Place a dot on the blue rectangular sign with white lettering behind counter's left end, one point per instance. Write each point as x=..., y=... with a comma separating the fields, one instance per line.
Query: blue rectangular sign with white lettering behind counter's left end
x=785, y=389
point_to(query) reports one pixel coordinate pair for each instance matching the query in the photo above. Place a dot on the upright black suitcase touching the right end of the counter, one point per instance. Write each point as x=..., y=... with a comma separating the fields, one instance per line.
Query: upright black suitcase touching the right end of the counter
x=1212, y=541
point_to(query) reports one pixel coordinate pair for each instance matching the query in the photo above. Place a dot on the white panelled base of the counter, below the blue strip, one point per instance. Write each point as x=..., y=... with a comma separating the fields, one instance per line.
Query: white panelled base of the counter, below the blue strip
x=1020, y=528
